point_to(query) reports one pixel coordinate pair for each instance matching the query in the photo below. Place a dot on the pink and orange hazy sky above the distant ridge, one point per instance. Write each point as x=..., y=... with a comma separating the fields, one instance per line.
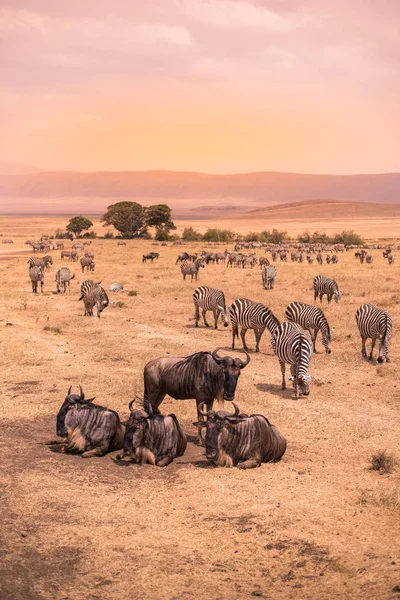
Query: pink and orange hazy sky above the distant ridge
x=217, y=86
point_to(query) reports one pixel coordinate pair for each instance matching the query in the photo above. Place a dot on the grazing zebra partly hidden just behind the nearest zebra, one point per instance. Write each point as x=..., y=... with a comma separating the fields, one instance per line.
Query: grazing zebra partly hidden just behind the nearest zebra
x=311, y=319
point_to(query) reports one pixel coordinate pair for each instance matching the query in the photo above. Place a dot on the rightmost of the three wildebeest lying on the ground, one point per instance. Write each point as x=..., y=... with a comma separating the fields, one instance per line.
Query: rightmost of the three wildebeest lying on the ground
x=238, y=440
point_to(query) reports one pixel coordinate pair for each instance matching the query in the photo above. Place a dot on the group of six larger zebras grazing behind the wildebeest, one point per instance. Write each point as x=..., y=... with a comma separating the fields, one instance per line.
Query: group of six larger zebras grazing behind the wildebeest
x=294, y=340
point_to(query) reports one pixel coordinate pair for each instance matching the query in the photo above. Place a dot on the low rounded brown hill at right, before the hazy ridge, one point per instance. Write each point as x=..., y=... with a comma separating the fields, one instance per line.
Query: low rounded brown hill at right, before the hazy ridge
x=321, y=210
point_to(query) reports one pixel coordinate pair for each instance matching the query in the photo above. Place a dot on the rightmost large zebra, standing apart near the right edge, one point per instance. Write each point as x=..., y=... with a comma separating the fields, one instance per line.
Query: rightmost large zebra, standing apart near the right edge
x=376, y=324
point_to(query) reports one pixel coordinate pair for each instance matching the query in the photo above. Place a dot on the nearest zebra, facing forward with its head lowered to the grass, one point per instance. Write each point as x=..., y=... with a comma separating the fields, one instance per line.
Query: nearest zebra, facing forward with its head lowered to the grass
x=292, y=346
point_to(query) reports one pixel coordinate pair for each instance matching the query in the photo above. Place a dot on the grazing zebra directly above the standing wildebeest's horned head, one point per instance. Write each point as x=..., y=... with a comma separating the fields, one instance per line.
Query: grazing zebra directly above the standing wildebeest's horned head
x=250, y=315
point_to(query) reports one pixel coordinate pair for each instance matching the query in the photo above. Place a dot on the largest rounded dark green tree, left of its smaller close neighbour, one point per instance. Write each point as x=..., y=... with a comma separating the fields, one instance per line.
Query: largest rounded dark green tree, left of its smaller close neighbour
x=127, y=217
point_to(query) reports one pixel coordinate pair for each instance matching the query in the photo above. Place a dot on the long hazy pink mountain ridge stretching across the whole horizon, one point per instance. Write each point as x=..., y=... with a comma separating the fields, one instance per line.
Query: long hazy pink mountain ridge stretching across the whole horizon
x=193, y=195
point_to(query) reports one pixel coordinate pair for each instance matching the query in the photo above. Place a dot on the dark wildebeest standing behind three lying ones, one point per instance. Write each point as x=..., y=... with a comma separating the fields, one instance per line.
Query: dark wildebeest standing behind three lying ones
x=204, y=376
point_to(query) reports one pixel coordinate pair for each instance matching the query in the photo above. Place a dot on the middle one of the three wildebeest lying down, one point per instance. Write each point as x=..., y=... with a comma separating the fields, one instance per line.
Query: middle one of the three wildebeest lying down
x=152, y=439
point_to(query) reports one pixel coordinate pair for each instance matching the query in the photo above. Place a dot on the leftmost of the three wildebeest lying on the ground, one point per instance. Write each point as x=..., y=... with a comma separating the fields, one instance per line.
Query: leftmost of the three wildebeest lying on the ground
x=87, y=428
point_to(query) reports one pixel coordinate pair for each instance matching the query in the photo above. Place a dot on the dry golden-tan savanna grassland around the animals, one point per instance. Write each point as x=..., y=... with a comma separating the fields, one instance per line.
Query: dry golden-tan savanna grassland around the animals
x=318, y=525
